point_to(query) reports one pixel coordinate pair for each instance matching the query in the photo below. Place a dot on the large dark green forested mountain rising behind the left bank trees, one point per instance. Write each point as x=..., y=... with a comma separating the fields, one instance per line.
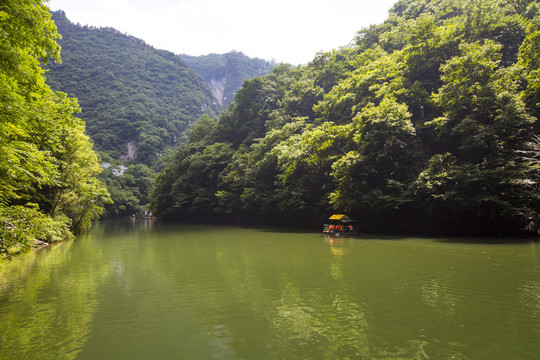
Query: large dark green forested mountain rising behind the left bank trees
x=136, y=100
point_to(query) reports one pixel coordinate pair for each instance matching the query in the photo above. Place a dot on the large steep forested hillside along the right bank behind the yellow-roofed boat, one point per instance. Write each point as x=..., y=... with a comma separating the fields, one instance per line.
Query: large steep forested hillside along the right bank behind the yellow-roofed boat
x=427, y=123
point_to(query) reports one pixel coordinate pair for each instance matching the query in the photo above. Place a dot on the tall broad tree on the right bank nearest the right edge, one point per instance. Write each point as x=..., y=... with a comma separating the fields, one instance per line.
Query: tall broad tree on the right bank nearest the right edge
x=479, y=173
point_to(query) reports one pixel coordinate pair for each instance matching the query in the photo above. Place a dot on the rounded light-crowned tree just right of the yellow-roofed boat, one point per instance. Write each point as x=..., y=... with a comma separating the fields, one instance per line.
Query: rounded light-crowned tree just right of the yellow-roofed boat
x=372, y=180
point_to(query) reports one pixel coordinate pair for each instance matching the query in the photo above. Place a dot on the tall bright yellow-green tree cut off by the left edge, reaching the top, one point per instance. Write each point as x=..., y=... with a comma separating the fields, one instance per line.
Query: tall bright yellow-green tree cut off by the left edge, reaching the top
x=31, y=36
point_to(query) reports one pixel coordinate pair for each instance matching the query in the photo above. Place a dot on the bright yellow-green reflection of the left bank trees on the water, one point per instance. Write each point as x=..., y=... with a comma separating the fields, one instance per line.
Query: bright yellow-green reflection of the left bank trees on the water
x=47, y=310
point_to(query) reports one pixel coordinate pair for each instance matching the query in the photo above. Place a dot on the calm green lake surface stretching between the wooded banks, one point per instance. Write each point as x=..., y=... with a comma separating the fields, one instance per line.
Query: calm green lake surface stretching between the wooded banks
x=153, y=291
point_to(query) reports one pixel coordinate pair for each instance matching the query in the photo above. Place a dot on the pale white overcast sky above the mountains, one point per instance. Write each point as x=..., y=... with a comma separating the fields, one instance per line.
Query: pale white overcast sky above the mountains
x=291, y=31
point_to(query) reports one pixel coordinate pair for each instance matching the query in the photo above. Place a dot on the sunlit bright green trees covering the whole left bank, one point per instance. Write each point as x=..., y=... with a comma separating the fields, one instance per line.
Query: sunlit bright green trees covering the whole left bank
x=48, y=169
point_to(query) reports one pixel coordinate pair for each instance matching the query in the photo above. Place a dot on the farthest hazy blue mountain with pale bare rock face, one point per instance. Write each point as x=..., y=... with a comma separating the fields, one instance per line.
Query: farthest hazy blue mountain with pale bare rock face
x=224, y=73
